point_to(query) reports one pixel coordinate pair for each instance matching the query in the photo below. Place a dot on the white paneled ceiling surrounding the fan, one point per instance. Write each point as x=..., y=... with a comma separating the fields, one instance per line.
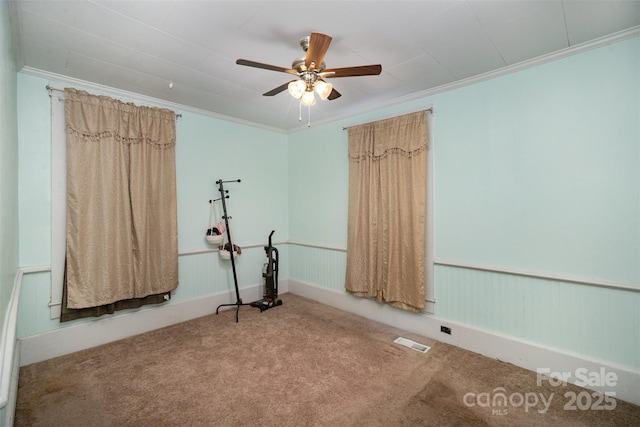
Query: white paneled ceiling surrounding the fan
x=142, y=46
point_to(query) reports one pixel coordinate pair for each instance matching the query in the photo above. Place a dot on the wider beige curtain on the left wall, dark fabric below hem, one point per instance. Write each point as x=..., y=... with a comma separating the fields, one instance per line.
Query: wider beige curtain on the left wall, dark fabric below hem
x=121, y=201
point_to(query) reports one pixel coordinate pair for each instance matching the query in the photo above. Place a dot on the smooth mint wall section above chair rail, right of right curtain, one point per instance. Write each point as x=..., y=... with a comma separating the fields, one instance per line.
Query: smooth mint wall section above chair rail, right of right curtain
x=540, y=169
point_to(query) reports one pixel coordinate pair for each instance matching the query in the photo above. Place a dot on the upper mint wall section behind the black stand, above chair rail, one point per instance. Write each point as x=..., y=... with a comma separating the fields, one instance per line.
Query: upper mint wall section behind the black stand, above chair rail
x=211, y=149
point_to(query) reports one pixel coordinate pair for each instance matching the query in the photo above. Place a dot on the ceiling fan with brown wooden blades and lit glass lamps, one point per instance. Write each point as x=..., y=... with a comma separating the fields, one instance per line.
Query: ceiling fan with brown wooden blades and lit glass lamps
x=311, y=71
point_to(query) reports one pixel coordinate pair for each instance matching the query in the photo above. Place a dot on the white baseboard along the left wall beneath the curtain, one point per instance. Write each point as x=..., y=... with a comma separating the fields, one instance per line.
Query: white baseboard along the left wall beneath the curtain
x=65, y=340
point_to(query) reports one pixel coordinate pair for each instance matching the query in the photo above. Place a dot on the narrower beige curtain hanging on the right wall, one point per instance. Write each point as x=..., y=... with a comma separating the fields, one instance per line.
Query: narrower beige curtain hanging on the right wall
x=386, y=229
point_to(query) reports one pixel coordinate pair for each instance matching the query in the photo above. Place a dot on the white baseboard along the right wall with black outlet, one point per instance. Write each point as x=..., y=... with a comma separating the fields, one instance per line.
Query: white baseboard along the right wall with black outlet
x=525, y=354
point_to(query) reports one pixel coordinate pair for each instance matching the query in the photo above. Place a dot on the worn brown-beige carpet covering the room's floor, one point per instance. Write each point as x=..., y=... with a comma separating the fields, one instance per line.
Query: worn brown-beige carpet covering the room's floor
x=301, y=364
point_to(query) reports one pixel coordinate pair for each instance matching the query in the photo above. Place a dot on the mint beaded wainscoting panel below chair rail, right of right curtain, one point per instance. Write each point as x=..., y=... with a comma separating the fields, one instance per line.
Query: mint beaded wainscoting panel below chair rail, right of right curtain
x=594, y=321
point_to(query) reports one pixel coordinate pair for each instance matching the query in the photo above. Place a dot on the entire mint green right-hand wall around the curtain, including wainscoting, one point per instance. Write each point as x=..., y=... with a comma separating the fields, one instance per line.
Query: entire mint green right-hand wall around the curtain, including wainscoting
x=536, y=170
